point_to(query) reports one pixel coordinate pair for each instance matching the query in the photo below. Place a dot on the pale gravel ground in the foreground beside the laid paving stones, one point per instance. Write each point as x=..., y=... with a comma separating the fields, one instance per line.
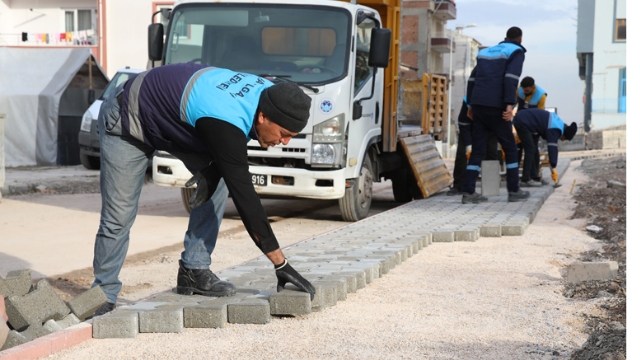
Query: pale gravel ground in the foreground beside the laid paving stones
x=496, y=298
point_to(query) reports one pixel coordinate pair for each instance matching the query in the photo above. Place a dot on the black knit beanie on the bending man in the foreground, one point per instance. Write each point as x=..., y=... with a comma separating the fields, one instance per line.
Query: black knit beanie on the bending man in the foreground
x=286, y=105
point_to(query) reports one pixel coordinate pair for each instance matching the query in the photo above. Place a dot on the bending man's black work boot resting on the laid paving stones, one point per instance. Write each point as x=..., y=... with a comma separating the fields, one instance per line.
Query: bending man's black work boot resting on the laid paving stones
x=203, y=282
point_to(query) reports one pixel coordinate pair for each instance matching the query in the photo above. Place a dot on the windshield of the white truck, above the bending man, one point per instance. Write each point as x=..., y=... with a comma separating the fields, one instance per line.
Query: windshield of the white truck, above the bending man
x=305, y=44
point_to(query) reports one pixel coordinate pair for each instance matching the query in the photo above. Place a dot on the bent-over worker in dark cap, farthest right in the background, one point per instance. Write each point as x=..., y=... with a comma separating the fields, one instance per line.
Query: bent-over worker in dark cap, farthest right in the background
x=532, y=124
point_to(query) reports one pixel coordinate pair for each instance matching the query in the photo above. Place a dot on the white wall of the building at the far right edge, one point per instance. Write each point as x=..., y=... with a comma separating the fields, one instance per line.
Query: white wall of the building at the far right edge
x=609, y=57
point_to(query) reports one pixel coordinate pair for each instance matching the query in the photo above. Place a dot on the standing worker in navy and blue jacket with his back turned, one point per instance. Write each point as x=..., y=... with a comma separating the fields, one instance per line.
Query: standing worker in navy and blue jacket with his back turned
x=491, y=92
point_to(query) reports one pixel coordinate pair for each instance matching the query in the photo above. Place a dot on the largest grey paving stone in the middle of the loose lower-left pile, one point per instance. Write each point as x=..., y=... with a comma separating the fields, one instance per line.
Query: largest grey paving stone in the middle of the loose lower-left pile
x=36, y=307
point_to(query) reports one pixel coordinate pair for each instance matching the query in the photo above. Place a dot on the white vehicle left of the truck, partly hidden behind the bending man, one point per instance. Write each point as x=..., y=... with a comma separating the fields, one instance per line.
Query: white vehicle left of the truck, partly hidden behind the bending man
x=88, y=137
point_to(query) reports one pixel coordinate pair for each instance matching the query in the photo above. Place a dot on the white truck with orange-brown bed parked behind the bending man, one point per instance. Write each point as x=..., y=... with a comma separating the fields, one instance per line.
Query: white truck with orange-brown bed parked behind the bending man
x=337, y=53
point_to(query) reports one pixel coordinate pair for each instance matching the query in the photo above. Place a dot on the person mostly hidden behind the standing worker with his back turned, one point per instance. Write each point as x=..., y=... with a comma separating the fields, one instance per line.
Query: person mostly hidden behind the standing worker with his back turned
x=465, y=127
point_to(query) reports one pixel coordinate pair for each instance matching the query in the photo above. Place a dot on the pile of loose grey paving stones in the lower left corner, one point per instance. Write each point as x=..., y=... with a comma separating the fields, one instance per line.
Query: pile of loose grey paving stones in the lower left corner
x=35, y=311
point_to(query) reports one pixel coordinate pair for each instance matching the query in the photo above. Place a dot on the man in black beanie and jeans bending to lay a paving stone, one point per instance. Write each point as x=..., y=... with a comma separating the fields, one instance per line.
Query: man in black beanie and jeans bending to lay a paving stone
x=204, y=116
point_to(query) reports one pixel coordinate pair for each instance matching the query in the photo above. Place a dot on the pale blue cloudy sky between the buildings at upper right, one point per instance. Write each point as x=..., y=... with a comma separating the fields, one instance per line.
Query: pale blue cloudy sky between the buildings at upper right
x=549, y=30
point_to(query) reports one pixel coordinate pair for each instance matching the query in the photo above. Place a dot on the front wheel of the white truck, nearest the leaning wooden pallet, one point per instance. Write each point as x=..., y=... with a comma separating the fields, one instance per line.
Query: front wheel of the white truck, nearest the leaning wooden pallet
x=356, y=202
